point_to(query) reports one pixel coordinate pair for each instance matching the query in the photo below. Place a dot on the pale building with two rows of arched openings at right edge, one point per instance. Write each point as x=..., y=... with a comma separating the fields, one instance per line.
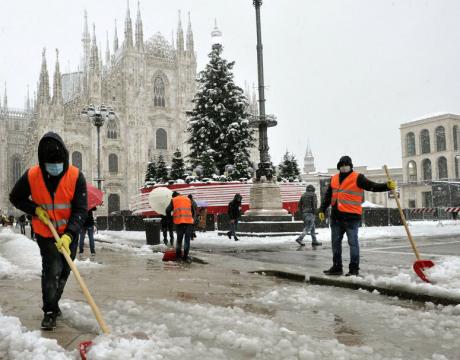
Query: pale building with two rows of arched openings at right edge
x=438, y=159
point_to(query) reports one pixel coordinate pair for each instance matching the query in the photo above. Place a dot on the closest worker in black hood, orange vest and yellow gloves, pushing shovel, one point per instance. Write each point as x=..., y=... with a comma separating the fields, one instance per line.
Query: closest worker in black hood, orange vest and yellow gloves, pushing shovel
x=53, y=191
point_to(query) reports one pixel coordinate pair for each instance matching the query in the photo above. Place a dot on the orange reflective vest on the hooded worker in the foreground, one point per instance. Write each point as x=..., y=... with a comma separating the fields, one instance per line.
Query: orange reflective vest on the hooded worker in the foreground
x=59, y=208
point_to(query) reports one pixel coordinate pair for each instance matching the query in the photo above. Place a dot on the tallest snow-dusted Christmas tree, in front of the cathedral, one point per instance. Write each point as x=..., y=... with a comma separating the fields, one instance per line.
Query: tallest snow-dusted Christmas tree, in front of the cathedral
x=219, y=120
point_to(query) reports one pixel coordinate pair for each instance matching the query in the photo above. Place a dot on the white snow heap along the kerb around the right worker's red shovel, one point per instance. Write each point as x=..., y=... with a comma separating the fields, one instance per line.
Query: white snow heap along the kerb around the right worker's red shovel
x=445, y=278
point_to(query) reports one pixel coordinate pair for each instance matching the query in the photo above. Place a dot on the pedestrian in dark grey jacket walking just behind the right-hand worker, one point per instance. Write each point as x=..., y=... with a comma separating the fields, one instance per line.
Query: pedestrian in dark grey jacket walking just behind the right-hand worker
x=307, y=207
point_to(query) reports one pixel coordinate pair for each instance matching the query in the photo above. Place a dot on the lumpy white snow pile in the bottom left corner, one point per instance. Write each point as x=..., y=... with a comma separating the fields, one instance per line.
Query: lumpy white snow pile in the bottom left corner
x=16, y=343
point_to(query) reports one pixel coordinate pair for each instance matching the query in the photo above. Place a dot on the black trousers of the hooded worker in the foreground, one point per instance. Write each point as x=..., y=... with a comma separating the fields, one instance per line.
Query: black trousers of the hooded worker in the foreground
x=55, y=271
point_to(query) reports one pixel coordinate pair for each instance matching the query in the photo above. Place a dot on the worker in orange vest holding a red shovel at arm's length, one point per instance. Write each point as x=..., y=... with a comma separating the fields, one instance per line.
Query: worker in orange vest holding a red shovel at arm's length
x=345, y=194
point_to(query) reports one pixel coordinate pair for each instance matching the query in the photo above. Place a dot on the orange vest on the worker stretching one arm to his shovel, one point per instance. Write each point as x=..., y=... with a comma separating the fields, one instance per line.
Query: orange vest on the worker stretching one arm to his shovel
x=347, y=195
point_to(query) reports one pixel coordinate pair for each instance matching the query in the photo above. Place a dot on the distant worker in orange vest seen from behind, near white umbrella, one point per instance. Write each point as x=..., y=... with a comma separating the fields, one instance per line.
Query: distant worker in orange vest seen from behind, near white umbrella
x=183, y=215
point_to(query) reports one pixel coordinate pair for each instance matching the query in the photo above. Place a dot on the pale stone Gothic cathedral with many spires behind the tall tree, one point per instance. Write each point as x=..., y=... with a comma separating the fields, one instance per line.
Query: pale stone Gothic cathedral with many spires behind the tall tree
x=149, y=84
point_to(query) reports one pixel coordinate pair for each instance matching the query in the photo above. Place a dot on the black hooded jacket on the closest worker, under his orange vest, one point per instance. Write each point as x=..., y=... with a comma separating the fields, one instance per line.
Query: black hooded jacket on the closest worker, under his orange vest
x=21, y=192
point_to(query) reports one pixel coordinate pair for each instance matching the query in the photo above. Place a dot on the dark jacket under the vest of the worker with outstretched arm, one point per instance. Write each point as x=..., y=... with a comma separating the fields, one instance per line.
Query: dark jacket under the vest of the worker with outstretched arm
x=364, y=183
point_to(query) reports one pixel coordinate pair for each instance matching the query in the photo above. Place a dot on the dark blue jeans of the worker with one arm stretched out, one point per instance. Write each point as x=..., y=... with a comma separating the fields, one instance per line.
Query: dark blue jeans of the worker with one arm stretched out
x=338, y=229
